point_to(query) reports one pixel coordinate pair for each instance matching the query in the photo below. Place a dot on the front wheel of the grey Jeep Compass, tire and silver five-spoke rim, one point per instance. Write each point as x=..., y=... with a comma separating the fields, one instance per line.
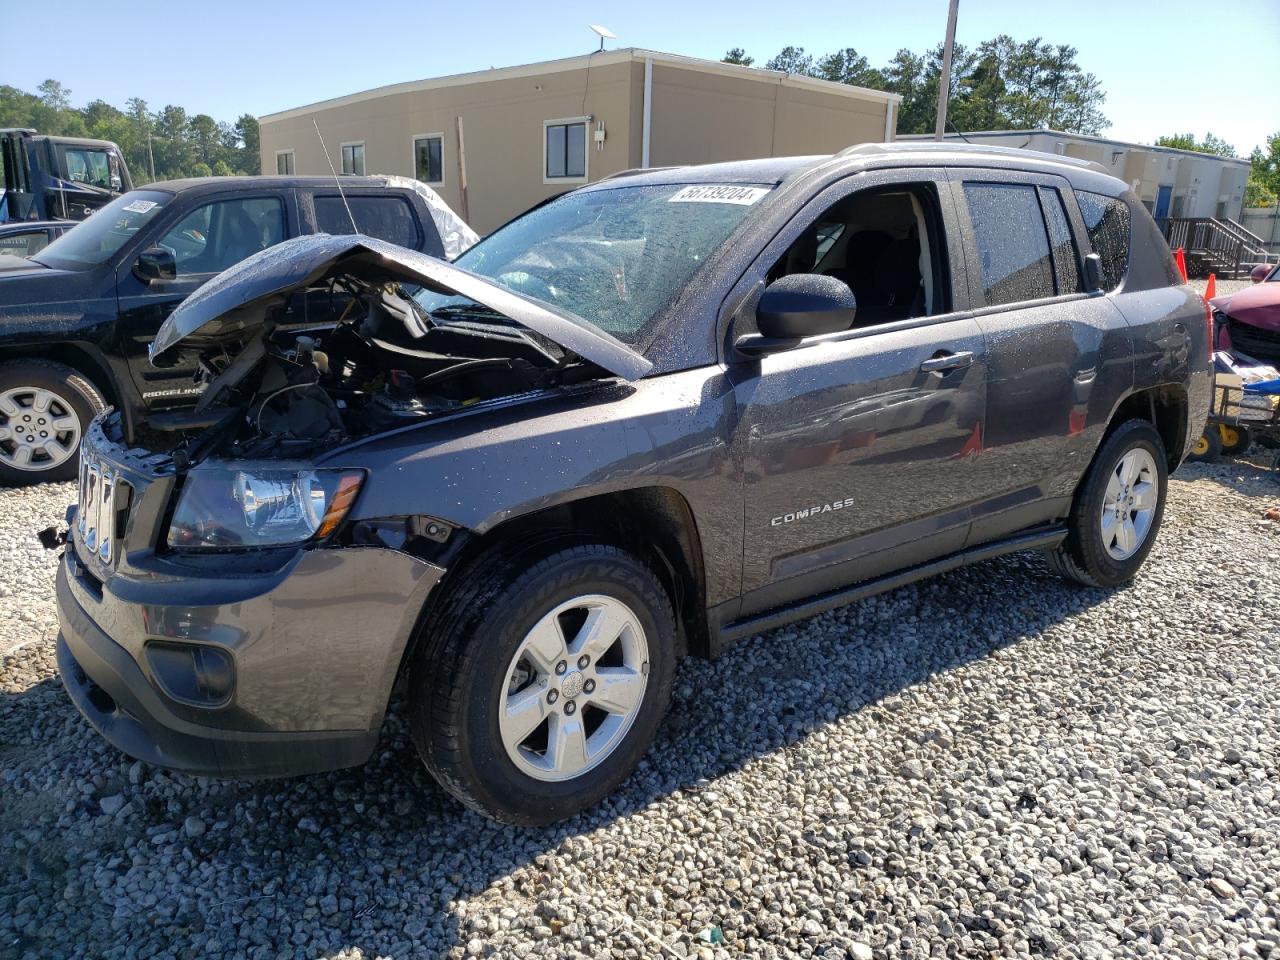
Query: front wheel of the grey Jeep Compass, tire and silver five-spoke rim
x=542, y=680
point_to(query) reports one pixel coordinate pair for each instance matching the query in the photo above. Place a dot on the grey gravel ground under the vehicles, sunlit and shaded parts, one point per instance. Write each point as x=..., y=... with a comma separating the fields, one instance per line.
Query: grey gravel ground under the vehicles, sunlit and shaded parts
x=991, y=764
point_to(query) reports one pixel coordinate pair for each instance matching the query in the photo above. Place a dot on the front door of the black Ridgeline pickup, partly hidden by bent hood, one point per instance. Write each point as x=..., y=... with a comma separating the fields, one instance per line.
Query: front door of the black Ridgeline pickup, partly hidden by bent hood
x=205, y=236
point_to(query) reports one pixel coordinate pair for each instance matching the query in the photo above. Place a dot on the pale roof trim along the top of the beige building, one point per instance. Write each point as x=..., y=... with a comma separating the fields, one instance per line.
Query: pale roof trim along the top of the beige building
x=595, y=60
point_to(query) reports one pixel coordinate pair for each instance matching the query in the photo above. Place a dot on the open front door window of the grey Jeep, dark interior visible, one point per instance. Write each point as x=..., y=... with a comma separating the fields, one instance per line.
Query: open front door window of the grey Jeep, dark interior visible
x=886, y=245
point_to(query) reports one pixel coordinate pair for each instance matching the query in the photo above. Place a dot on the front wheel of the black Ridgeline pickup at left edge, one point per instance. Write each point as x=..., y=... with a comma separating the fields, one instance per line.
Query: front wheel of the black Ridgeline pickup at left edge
x=44, y=412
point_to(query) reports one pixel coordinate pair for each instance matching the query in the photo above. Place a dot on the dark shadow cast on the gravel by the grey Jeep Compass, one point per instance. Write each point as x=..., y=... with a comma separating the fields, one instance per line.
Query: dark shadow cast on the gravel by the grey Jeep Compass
x=378, y=858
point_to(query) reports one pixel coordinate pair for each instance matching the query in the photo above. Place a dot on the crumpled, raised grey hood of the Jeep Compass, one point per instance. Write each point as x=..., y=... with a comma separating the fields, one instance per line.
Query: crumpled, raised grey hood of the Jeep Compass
x=241, y=300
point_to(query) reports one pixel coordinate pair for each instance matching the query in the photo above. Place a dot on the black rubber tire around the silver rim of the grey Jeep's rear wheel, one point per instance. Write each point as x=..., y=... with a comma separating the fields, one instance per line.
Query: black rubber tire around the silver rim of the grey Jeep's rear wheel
x=1086, y=533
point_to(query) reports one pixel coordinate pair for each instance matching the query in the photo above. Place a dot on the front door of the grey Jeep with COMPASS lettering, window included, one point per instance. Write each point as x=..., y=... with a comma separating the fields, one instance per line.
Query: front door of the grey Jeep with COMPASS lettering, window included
x=858, y=447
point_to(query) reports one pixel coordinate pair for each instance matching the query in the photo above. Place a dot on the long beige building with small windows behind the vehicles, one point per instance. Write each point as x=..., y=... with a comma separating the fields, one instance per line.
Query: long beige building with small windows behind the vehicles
x=496, y=143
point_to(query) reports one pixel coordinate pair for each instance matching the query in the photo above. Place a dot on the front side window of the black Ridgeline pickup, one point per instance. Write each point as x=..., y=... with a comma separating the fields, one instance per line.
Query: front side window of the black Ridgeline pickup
x=216, y=236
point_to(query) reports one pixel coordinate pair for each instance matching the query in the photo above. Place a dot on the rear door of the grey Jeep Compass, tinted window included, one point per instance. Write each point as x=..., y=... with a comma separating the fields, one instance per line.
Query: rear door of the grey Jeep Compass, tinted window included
x=1058, y=356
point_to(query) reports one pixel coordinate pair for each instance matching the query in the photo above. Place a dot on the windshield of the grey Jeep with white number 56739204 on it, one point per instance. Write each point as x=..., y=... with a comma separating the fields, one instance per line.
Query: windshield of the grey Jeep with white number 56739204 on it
x=614, y=257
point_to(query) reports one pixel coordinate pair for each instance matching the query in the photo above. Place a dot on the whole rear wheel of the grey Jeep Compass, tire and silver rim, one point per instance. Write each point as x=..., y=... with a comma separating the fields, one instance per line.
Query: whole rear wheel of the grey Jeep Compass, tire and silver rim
x=1090, y=555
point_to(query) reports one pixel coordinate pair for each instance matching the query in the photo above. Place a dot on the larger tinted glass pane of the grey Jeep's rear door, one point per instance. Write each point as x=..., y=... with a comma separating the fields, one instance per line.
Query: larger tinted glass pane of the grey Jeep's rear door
x=1012, y=243
